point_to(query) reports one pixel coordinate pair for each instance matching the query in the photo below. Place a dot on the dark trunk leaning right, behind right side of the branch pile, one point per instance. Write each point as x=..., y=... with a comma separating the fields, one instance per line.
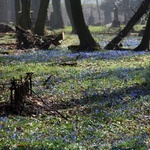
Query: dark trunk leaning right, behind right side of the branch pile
x=41, y=20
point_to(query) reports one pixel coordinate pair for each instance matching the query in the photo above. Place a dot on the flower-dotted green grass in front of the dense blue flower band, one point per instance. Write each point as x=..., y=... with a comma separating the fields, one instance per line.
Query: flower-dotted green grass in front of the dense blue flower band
x=107, y=105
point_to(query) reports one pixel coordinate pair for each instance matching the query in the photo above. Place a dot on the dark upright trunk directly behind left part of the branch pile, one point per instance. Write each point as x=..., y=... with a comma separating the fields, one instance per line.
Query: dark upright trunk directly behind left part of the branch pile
x=25, y=19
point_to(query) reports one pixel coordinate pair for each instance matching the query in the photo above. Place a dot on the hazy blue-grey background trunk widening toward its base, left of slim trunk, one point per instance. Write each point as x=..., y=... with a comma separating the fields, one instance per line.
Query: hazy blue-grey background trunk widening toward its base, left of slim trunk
x=56, y=20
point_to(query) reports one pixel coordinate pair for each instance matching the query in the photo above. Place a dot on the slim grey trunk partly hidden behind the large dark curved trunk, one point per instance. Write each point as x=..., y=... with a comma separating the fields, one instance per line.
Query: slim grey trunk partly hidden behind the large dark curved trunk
x=68, y=9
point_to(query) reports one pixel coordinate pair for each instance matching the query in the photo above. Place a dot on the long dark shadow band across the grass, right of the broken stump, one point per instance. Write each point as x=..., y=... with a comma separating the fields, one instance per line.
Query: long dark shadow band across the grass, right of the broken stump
x=109, y=99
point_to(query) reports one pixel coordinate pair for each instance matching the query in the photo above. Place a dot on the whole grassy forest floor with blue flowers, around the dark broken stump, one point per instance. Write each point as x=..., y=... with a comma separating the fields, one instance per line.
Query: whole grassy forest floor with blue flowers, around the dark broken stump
x=105, y=97
